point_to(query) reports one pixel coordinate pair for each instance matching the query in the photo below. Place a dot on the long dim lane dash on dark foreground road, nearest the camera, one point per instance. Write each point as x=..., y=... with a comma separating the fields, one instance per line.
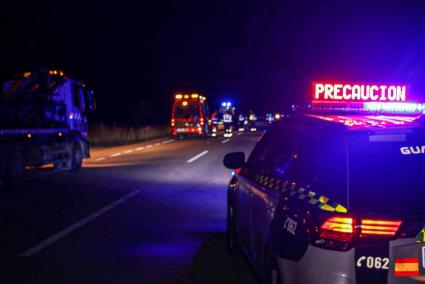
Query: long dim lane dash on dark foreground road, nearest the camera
x=56, y=237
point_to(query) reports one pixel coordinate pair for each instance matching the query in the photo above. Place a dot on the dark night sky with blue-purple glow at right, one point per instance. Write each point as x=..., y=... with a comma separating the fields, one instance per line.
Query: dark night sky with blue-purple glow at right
x=264, y=56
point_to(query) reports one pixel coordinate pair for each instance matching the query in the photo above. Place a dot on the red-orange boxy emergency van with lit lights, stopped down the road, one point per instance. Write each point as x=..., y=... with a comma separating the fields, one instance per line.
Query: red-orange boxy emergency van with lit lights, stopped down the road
x=190, y=116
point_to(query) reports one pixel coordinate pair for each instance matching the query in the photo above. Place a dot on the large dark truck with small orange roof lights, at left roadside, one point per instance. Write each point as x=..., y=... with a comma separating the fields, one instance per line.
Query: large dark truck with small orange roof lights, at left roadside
x=43, y=120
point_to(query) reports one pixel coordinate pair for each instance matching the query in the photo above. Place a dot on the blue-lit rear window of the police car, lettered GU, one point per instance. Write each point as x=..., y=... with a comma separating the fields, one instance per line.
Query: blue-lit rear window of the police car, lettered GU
x=385, y=176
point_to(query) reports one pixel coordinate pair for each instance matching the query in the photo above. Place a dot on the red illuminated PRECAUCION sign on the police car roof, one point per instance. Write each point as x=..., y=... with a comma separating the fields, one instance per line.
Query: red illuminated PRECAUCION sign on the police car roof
x=359, y=93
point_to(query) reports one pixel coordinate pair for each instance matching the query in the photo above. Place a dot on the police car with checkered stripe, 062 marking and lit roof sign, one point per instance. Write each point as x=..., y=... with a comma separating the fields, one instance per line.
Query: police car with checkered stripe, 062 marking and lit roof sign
x=335, y=194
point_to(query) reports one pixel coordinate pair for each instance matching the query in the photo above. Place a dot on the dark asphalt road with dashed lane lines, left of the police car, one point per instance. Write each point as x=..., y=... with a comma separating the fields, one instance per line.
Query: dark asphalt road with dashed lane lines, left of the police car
x=152, y=212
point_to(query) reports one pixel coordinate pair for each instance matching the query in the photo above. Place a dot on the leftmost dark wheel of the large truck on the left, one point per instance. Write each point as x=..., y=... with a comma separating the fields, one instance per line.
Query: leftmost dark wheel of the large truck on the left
x=14, y=171
